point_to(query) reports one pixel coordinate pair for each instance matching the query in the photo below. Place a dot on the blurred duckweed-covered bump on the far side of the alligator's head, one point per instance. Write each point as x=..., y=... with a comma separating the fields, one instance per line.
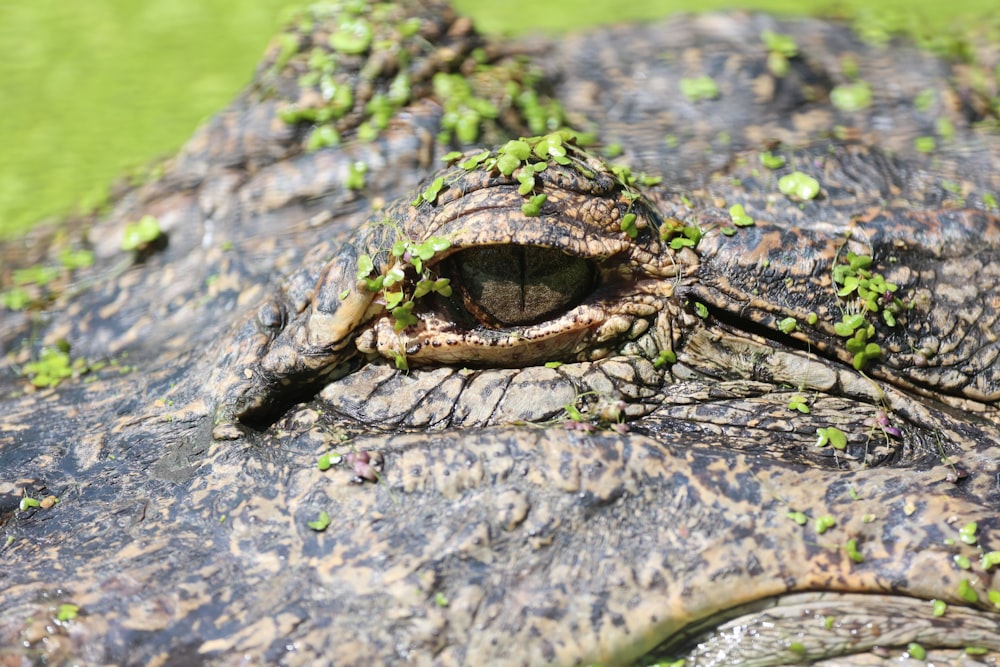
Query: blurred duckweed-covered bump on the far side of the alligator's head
x=376, y=61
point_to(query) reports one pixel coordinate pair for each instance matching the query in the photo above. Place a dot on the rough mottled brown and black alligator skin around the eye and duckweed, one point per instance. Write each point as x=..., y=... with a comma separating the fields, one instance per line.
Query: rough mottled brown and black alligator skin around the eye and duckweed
x=657, y=525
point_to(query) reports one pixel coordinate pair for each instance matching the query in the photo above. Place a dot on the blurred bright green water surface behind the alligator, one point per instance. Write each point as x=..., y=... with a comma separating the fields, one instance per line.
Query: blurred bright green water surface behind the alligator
x=91, y=89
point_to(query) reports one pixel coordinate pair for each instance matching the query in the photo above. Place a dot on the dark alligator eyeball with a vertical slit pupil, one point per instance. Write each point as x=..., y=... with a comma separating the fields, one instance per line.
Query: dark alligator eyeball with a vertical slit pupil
x=521, y=284
